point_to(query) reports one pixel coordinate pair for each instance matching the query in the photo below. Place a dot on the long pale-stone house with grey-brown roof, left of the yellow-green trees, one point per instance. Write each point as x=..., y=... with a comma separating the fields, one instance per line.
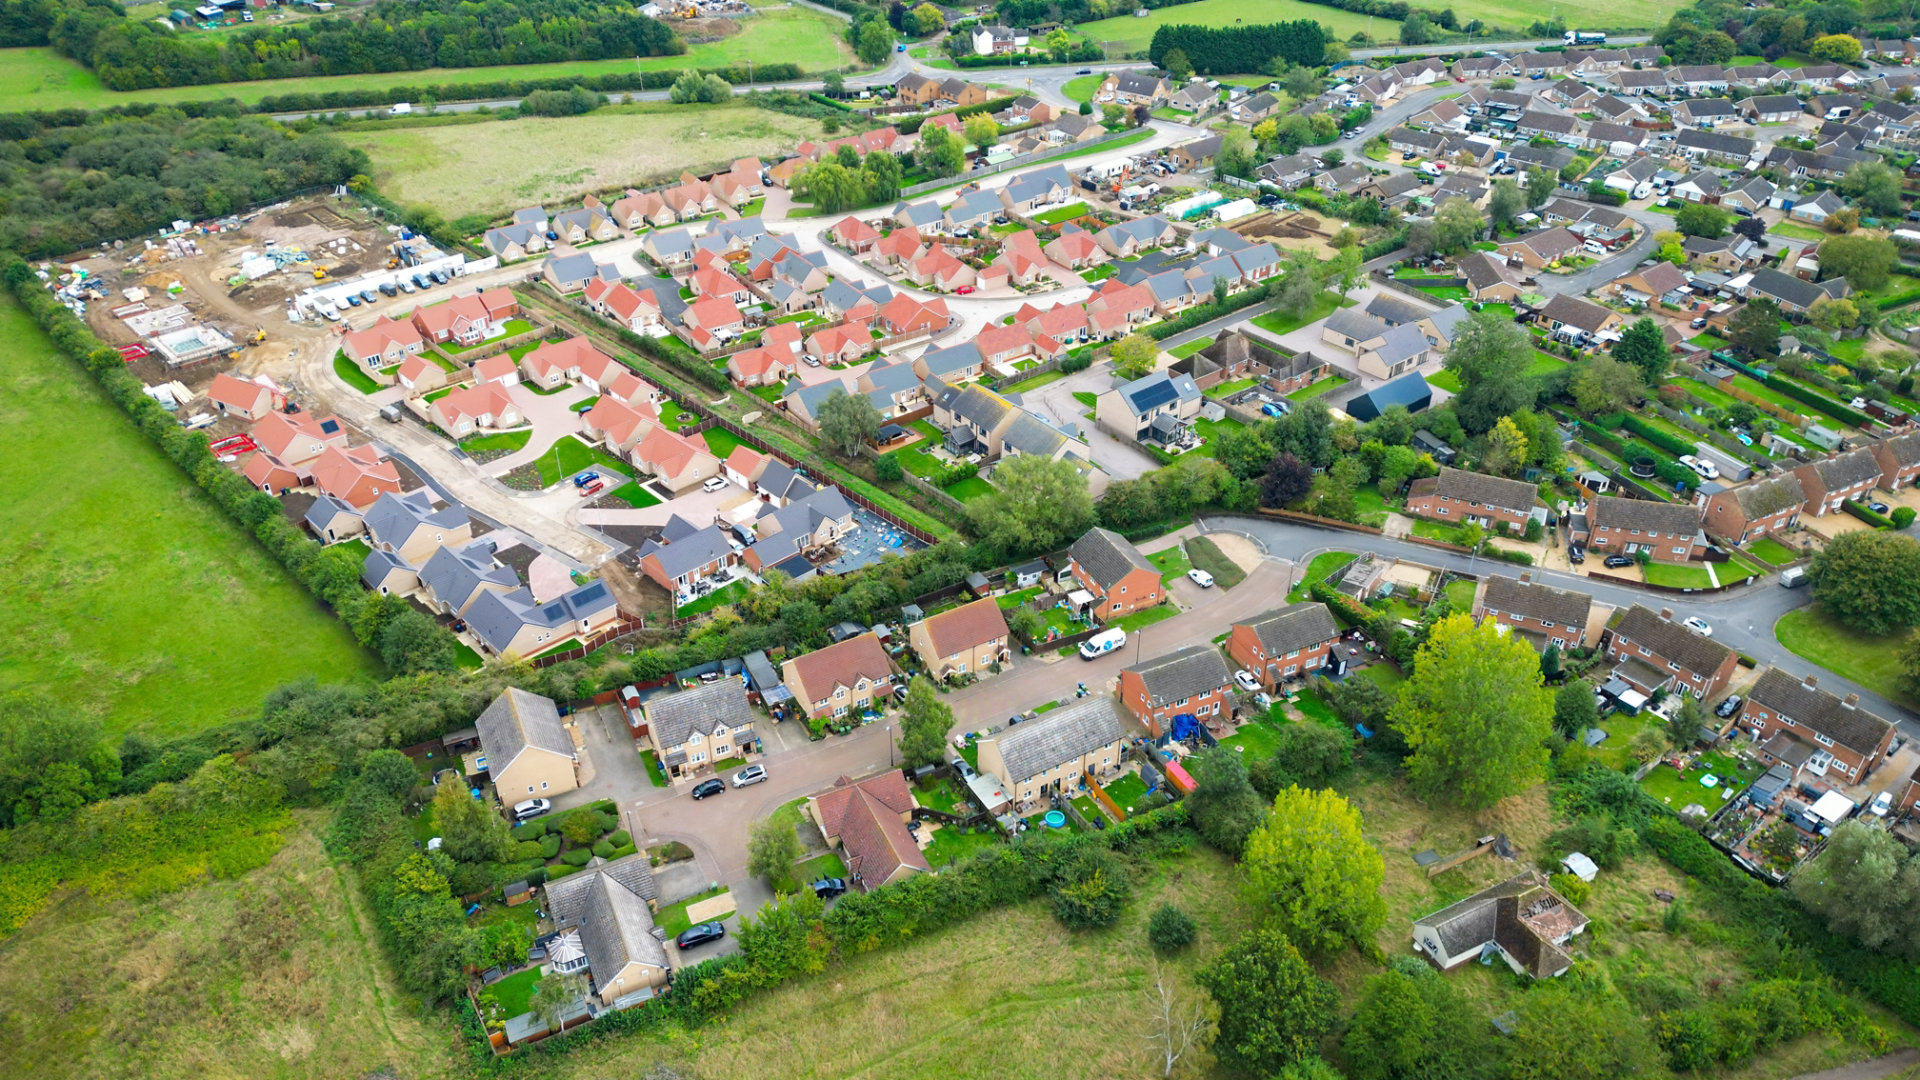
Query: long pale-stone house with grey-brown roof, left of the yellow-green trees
x=1057, y=752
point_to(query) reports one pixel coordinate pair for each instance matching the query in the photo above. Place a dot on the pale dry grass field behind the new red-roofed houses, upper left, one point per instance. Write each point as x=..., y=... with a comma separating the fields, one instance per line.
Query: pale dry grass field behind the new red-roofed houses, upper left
x=492, y=168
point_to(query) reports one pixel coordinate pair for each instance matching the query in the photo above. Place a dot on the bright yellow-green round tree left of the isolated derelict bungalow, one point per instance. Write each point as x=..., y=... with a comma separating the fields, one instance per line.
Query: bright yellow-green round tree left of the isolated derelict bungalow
x=1314, y=873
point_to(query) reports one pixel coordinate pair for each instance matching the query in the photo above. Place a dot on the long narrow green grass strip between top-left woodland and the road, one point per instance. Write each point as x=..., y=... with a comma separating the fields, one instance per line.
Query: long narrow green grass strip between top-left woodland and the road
x=43, y=80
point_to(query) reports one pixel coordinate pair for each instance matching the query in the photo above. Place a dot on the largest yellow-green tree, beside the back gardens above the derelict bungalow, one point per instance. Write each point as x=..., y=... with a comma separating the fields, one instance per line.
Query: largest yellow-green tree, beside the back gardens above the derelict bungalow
x=1476, y=716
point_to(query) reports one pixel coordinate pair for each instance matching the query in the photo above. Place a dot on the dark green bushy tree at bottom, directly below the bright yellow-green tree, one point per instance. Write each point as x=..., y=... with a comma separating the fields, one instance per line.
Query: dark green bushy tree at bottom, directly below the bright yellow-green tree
x=1274, y=1010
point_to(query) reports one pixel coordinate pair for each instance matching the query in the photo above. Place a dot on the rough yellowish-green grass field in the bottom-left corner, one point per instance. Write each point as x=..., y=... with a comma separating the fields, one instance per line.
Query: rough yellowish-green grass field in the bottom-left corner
x=266, y=975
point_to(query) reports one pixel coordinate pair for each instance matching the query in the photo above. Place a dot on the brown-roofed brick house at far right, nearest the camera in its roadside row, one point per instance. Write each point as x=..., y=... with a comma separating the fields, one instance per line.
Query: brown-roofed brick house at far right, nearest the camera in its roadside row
x=1794, y=722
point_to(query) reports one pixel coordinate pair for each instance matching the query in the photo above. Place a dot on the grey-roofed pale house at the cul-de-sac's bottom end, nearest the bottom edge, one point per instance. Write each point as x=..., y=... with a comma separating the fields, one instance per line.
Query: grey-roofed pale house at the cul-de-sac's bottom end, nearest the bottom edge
x=604, y=921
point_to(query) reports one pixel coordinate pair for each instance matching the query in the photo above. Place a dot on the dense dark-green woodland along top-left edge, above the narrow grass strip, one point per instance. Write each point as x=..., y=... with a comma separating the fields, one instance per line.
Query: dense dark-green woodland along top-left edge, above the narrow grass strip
x=393, y=36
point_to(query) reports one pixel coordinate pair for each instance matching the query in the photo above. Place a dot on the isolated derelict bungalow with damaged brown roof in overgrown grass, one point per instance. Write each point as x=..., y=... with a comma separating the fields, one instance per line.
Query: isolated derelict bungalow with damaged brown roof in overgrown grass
x=1522, y=921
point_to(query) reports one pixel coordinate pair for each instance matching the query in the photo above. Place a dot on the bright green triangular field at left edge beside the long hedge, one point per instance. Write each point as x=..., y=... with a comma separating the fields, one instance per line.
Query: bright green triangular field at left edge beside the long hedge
x=133, y=597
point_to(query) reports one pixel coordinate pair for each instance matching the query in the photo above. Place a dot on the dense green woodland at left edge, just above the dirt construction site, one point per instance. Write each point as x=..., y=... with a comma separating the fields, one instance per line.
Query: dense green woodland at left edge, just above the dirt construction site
x=74, y=187
